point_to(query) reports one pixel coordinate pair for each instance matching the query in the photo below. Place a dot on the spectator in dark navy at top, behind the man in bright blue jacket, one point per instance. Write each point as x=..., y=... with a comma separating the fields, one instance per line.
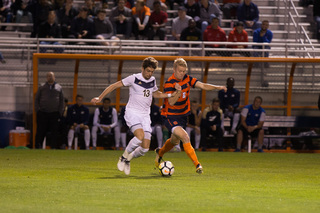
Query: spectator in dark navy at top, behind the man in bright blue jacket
x=248, y=13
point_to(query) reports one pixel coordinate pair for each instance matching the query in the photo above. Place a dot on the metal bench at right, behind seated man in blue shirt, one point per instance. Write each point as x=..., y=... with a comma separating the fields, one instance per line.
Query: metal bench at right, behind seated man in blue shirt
x=288, y=127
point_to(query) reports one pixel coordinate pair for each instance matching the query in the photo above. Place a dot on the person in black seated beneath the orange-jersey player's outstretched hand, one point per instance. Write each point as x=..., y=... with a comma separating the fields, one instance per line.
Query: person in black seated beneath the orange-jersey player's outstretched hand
x=211, y=124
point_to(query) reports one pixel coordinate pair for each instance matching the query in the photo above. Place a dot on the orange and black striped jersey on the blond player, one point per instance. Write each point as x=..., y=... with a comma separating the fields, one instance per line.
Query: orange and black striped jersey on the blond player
x=182, y=106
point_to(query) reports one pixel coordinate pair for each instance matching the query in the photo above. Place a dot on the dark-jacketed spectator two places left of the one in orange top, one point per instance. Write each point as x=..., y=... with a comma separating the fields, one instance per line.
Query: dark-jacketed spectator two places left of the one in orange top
x=103, y=27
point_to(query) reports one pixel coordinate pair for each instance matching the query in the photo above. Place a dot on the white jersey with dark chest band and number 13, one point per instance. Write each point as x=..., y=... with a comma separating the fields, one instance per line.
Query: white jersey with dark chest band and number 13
x=140, y=93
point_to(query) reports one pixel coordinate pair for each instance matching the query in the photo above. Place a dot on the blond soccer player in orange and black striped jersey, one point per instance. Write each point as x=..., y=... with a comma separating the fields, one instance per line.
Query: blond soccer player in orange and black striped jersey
x=176, y=110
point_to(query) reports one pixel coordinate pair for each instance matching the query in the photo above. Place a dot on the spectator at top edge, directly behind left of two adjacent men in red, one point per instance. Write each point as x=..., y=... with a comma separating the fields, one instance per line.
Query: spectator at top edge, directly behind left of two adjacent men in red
x=208, y=11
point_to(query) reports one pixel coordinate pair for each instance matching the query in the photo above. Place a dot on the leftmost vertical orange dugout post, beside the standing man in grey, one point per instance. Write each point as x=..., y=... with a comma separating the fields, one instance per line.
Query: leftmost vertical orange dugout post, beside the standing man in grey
x=35, y=89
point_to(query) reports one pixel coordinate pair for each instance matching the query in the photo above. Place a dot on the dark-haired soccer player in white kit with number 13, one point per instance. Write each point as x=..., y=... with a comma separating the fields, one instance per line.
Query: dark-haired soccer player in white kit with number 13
x=142, y=87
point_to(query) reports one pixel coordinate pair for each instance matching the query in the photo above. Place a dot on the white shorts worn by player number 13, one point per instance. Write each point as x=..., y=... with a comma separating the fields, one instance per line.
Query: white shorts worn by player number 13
x=134, y=118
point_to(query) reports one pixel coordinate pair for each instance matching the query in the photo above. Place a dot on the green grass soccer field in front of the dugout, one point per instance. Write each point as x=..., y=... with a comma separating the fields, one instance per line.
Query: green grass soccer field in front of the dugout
x=88, y=181
